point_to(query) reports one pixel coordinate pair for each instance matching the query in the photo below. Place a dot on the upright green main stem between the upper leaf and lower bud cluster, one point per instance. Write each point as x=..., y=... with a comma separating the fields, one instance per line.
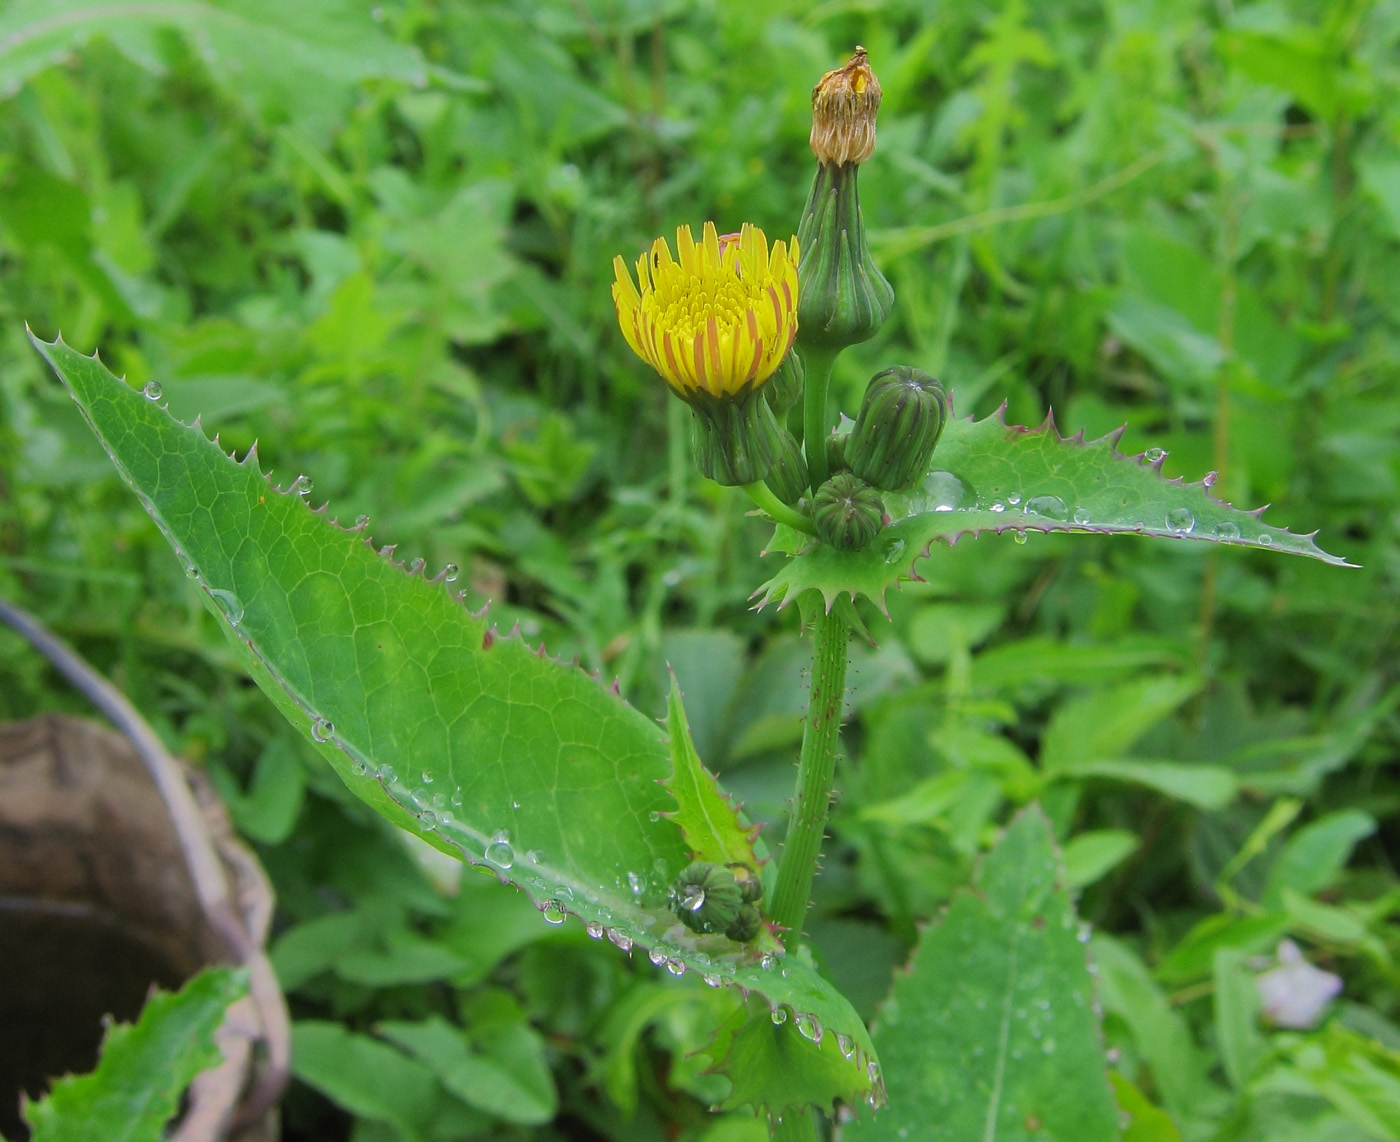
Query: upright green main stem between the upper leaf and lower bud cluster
x=814, y=779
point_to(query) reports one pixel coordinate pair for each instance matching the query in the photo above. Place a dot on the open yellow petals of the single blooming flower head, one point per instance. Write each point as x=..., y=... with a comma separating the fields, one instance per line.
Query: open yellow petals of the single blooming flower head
x=716, y=320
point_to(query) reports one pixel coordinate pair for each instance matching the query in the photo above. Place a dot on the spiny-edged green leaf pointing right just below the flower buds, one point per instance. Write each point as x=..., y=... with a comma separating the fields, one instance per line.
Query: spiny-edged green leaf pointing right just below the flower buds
x=990, y=477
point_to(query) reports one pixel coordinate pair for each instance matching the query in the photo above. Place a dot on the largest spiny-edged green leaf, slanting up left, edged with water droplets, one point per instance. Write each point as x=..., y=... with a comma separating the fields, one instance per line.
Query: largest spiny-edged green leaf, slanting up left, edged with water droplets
x=488, y=748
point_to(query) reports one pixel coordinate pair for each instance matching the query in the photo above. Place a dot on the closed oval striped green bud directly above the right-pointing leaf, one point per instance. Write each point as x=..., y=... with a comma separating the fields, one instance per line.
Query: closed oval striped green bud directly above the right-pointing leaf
x=901, y=422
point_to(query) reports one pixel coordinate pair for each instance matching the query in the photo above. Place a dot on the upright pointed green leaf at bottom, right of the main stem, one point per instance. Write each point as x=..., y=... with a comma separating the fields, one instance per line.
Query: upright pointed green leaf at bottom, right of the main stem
x=992, y=1034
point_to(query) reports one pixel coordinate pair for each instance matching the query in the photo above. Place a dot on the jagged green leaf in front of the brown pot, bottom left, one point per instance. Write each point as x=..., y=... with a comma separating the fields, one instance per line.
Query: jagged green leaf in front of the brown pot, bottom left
x=145, y=1069
